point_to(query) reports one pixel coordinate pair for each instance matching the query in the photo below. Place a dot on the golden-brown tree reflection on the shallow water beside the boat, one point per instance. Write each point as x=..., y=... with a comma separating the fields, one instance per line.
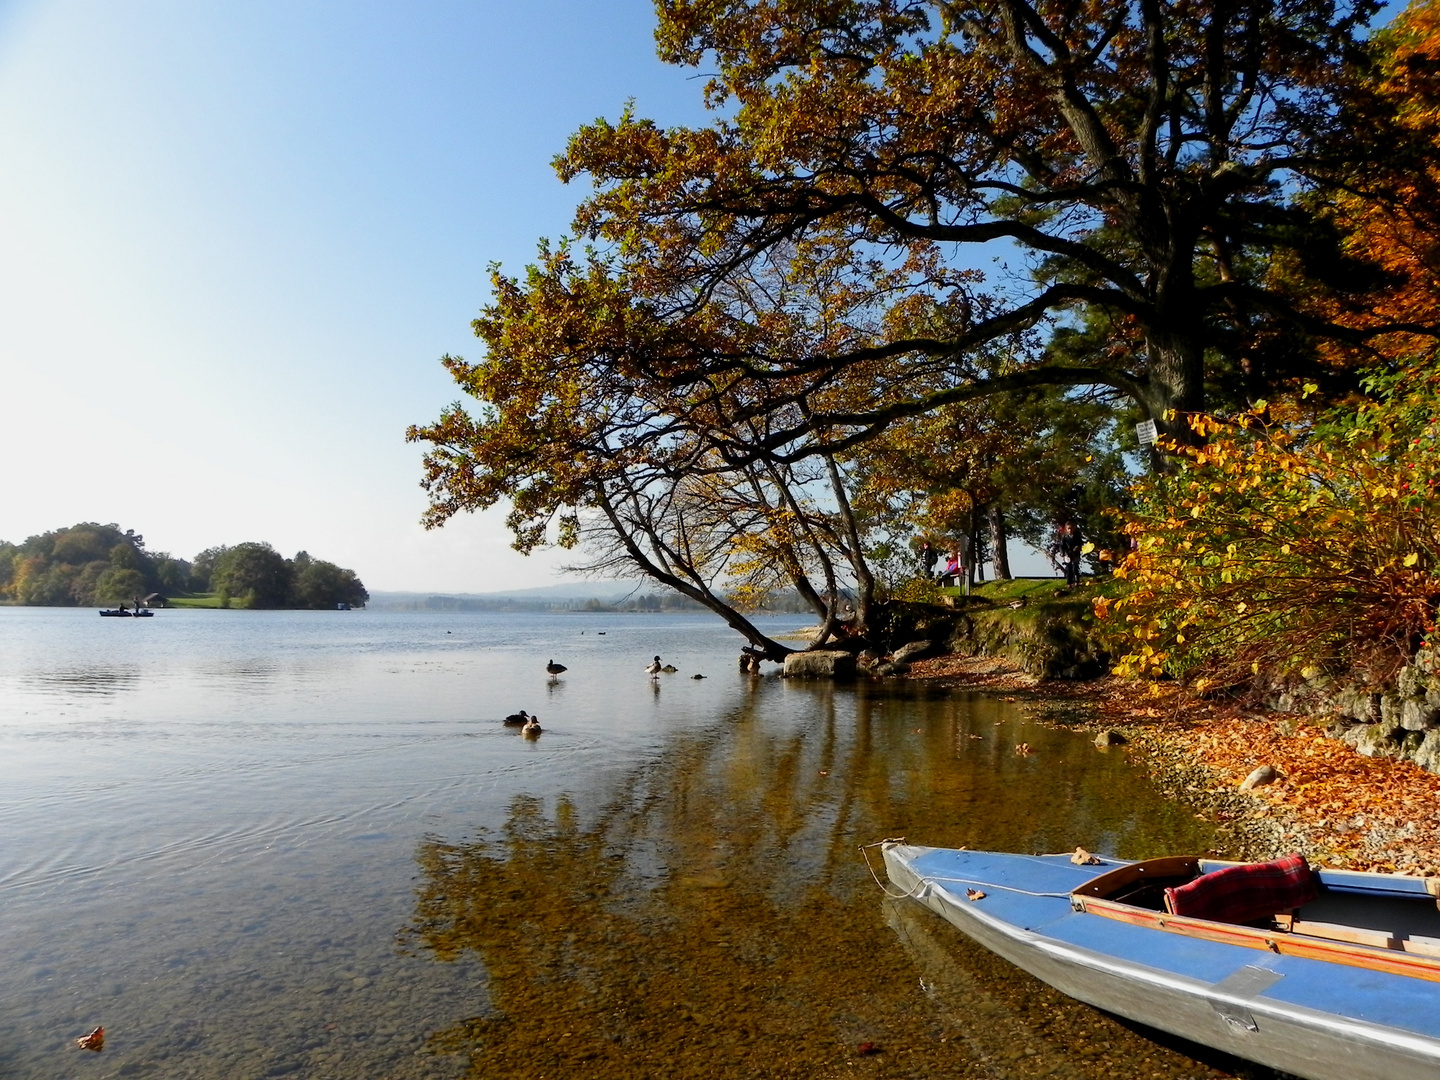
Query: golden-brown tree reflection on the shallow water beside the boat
x=715, y=919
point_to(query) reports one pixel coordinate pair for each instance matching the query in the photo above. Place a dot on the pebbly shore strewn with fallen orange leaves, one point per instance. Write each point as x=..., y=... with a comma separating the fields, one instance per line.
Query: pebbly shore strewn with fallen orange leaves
x=1337, y=807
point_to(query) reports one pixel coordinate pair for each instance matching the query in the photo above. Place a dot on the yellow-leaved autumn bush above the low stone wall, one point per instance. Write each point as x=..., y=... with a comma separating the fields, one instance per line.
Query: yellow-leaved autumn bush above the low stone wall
x=1285, y=548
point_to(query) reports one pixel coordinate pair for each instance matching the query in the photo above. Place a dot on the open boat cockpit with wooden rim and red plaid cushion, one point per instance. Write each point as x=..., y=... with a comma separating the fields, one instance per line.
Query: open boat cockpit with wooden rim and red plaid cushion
x=1343, y=917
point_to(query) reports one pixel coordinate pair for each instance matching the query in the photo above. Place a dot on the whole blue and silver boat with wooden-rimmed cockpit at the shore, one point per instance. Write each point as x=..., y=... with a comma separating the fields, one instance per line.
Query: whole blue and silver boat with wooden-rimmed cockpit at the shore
x=1340, y=981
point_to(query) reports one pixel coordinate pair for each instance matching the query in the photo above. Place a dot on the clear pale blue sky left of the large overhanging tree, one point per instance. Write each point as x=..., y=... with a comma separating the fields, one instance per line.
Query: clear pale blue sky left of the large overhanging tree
x=237, y=235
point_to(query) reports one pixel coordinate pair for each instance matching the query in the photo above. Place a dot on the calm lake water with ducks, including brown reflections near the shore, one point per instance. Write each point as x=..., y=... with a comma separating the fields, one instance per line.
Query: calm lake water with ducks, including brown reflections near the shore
x=257, y=845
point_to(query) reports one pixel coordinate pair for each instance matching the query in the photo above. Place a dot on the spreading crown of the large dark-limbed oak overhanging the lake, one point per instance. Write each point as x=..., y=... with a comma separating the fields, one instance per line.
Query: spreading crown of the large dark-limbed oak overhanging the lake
x=788, y=282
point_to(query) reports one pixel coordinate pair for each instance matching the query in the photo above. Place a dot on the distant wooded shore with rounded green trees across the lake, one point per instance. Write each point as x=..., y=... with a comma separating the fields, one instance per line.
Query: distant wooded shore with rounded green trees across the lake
x=102, y=565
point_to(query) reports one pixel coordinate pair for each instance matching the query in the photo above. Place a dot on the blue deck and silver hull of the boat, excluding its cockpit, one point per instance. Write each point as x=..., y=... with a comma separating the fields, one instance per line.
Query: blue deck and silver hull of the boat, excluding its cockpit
x=1308, y=1017
